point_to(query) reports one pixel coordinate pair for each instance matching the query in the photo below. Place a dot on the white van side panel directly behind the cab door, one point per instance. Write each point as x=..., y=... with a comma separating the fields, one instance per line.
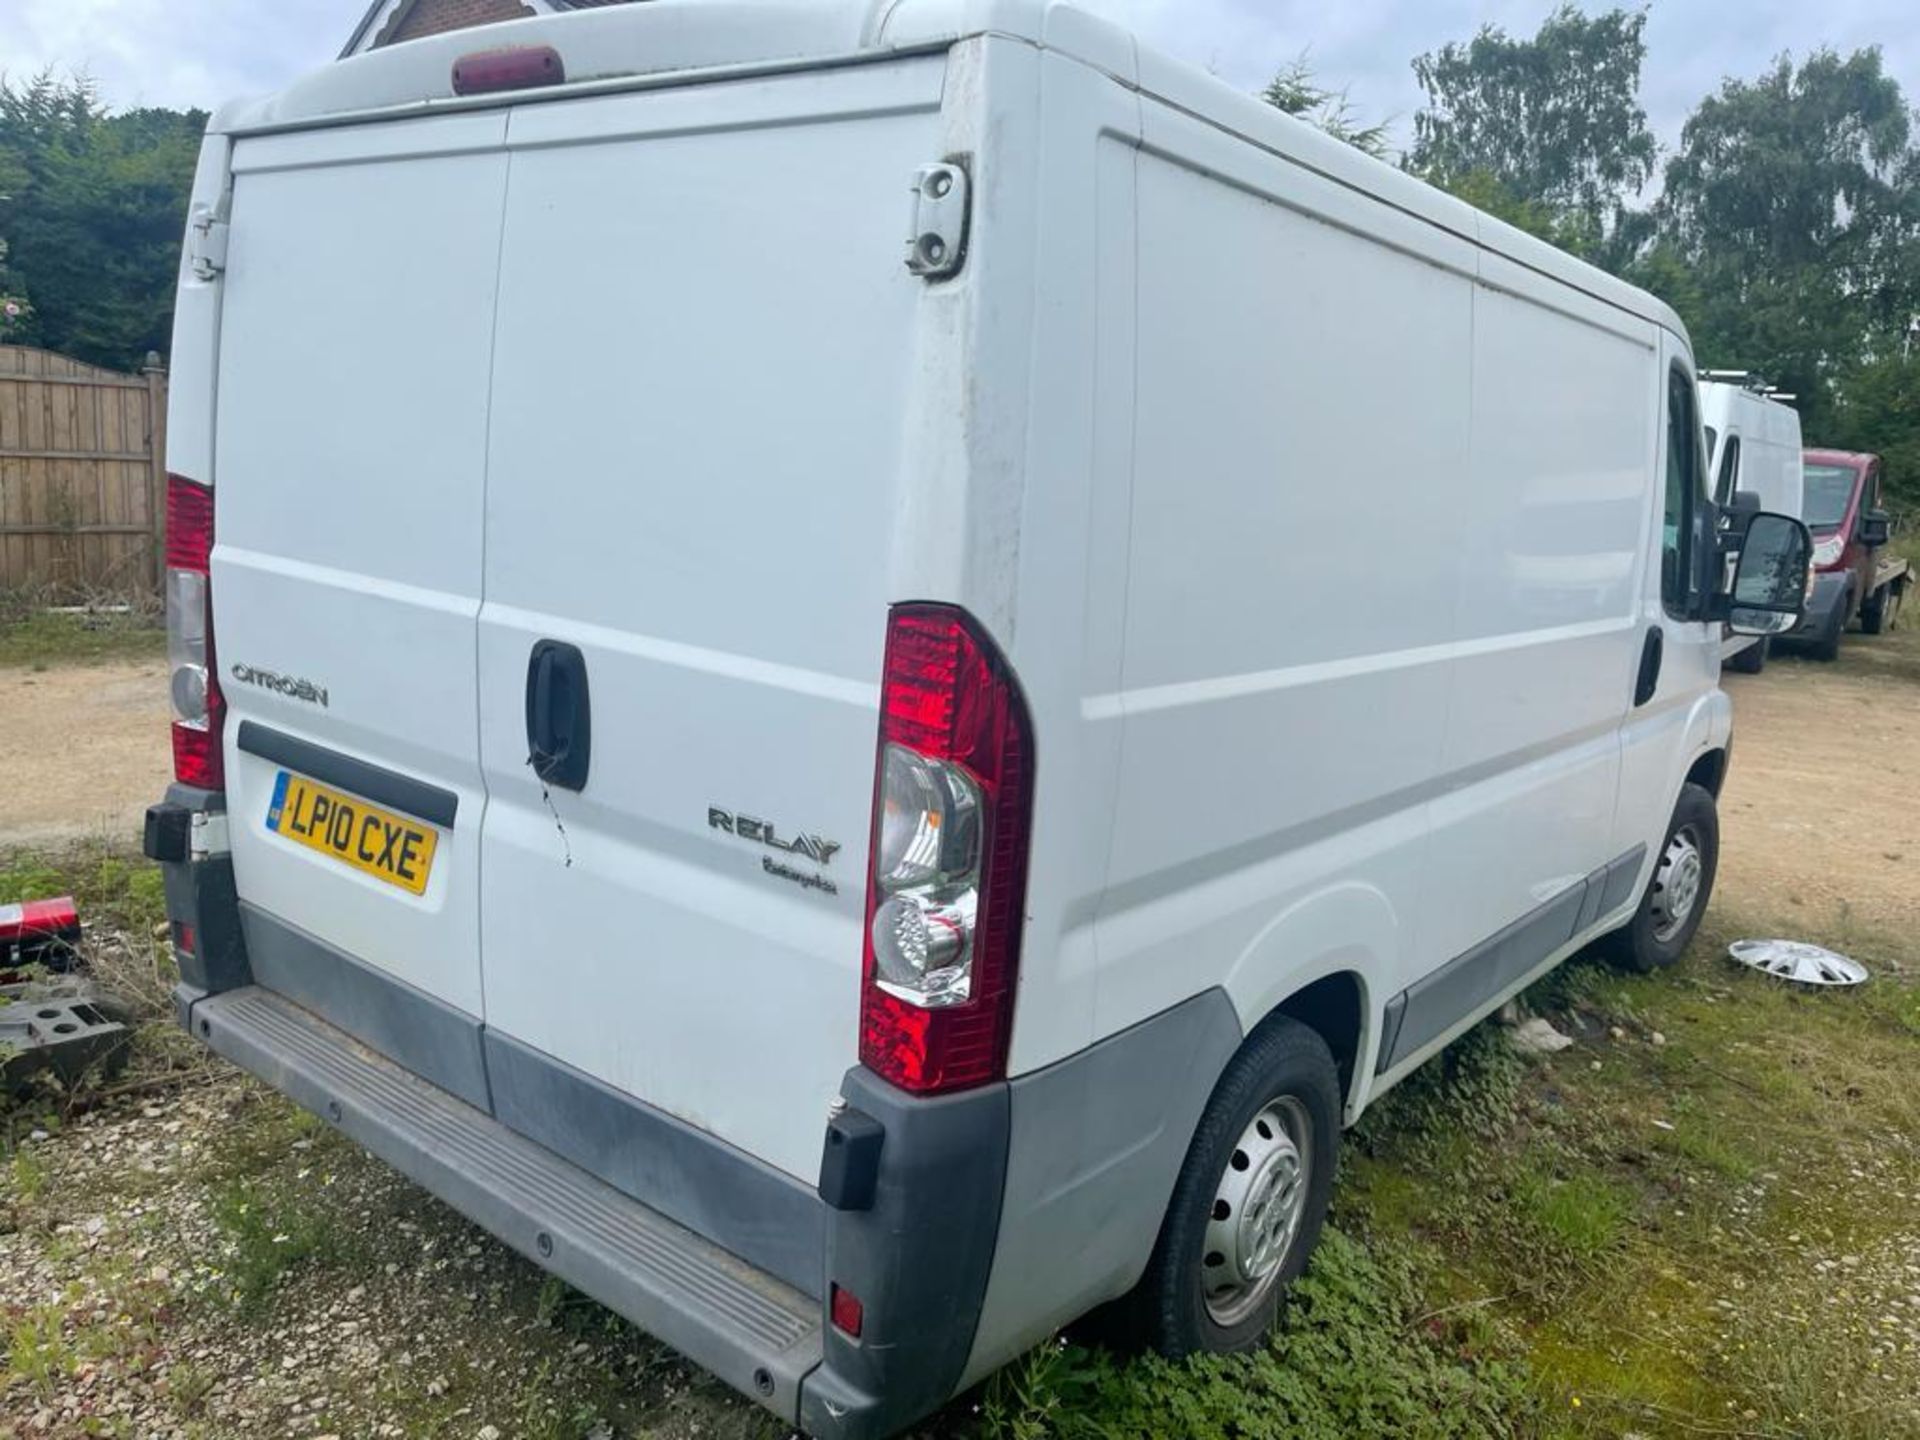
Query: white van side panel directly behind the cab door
x=1552, y=550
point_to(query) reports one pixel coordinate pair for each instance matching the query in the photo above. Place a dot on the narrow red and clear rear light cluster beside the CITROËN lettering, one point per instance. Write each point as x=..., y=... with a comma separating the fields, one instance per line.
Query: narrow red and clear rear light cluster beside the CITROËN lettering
x=199, y=708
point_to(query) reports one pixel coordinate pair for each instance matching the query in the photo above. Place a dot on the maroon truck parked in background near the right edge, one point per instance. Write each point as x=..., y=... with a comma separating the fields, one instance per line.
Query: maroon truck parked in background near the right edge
x=1854, y=571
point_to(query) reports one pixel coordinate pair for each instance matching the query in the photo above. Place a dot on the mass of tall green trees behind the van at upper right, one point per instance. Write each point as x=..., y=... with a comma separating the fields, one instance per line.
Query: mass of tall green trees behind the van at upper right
x=1788, y=229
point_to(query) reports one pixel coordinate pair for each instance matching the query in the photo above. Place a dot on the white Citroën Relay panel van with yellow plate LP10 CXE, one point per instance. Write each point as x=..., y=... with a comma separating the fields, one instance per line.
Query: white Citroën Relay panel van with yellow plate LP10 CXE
x=771, y=694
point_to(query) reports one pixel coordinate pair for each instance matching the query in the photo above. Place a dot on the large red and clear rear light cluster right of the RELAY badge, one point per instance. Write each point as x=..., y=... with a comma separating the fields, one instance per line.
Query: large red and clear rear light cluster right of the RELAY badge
x=951, y=815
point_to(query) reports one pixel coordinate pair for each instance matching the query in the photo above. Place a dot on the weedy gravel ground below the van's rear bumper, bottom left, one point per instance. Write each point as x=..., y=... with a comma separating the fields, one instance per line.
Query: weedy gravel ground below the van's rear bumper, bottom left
x=143, y=1259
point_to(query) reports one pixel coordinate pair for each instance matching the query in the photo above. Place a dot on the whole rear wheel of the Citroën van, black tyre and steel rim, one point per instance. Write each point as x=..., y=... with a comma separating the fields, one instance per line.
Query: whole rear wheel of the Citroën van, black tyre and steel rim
x=1249, y=1205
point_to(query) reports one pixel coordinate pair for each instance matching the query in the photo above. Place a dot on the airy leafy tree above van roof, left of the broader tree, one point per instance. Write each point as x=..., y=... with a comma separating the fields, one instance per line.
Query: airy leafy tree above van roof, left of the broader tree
x=1550, y=122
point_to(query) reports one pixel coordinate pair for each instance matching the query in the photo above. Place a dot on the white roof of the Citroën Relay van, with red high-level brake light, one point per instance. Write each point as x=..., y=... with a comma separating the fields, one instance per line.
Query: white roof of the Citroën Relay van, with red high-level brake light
x=669, y=41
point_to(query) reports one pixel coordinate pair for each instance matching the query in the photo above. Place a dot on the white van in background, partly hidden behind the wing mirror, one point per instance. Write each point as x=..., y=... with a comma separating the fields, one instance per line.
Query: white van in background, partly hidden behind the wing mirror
x=1754, y=448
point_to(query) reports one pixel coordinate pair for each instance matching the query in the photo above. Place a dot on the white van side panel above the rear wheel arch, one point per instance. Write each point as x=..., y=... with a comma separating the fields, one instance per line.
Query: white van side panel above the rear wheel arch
x=1291, y=592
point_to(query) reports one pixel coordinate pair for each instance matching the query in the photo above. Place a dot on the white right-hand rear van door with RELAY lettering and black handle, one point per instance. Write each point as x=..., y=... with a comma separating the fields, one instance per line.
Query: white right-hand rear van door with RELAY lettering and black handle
x=704, y=375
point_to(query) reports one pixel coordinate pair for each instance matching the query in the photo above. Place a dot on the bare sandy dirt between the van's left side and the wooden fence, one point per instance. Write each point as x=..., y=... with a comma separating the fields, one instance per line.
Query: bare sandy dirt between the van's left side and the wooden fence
x=84, y=752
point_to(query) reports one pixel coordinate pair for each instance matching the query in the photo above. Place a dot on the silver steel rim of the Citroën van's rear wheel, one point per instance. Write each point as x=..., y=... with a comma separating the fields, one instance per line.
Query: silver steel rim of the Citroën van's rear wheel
x=1259, y=1209
